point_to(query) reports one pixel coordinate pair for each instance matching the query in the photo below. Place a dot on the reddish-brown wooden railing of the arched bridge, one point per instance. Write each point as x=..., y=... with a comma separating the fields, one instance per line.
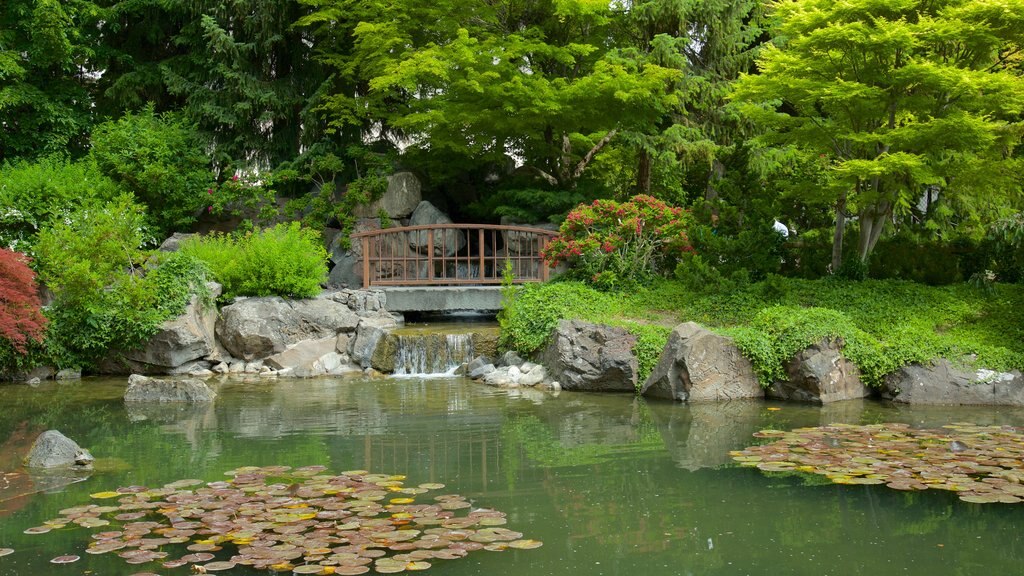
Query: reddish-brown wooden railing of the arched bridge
x=452, y=255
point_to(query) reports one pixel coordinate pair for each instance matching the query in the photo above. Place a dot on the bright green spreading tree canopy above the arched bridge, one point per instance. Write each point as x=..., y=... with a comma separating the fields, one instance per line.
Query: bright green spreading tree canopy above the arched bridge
x=536, y=80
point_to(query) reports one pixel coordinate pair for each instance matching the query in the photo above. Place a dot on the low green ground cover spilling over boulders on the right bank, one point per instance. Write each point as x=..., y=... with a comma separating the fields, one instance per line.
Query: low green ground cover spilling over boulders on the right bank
x=885, y=324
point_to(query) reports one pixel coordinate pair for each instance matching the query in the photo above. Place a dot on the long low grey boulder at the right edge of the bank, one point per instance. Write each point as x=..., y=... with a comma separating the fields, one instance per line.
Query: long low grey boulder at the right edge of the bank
x=943, y=383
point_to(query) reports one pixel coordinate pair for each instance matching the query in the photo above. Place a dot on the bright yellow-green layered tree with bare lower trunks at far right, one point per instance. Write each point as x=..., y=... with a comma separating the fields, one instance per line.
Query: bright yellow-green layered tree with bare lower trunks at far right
x=895, y=97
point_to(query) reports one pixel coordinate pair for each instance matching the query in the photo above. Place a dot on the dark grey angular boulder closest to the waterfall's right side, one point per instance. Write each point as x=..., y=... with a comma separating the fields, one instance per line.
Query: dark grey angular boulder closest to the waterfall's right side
x=582, y=356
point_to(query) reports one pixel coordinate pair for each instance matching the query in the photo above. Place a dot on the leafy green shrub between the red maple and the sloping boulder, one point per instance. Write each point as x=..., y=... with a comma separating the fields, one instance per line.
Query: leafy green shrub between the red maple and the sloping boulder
x=93, y=262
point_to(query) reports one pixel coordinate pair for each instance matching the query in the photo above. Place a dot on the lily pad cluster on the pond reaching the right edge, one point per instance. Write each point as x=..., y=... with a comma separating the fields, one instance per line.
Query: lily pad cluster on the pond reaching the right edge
x=983, y=465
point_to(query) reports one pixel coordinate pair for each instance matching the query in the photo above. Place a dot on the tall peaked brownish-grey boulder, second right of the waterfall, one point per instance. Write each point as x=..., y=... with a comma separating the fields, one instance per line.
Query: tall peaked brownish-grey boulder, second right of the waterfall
x=698, y=365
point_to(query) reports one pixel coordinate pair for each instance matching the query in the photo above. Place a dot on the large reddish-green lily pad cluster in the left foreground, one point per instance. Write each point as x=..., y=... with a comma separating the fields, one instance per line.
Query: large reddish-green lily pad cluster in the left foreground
x=300, y=521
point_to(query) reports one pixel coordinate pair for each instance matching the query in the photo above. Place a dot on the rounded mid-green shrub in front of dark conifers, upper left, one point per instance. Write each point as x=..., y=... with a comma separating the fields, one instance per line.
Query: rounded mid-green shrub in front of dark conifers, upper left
x=162, y=160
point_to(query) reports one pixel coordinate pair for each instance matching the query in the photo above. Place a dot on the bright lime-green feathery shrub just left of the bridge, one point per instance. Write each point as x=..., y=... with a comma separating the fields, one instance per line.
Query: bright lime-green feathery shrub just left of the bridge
x=284, y=261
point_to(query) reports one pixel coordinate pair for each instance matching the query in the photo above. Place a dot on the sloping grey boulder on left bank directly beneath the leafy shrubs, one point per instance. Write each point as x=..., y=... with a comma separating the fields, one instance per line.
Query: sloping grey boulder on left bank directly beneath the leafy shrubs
x=188, y=338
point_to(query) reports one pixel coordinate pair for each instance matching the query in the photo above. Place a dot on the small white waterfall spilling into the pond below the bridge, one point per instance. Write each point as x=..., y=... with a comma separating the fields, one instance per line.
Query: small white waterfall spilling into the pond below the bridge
x=421, y=355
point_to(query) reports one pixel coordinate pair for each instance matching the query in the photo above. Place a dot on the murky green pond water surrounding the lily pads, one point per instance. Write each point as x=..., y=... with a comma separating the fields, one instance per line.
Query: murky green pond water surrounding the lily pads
x=612, y=485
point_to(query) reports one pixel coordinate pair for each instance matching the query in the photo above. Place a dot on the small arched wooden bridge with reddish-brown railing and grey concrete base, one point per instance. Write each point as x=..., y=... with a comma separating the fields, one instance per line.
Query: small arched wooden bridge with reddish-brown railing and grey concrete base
x=447, y=268
